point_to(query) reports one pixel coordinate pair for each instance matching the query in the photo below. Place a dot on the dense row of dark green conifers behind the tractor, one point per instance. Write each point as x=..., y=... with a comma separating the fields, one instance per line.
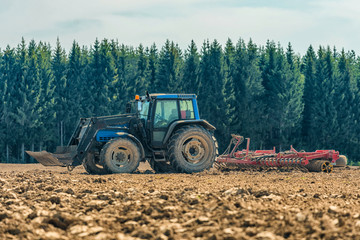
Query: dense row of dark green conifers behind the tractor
x=268, y=93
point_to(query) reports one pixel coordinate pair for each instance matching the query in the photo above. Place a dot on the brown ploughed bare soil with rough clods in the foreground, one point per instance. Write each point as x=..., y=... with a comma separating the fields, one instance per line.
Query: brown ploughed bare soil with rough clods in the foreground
x=39, y=202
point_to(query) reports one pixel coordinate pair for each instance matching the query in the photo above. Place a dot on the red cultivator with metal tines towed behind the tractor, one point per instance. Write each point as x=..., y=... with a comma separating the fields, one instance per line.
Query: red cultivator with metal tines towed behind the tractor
x=318, y=161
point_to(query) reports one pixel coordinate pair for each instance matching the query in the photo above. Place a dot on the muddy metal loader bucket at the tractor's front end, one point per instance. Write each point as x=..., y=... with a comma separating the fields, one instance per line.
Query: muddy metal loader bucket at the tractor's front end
x=62, y=157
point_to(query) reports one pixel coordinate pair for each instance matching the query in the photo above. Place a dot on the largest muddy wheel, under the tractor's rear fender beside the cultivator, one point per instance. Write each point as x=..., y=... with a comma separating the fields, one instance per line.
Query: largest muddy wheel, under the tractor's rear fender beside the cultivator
x=191, y=149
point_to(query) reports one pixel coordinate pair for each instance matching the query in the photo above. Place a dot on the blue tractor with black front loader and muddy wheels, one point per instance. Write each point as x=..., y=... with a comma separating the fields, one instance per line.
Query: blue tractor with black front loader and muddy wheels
x=164, y=129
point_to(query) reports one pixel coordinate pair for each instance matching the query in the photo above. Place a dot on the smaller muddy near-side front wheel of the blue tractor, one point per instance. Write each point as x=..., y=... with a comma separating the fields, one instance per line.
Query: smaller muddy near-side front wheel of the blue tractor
x=120, y=155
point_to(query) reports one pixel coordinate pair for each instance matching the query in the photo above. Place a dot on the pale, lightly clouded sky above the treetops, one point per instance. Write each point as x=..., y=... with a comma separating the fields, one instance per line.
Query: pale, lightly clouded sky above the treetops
x=131, y=22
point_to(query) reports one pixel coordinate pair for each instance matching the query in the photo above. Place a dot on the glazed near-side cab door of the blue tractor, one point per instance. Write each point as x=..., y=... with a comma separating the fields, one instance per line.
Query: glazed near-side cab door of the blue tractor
x=166, y=111
